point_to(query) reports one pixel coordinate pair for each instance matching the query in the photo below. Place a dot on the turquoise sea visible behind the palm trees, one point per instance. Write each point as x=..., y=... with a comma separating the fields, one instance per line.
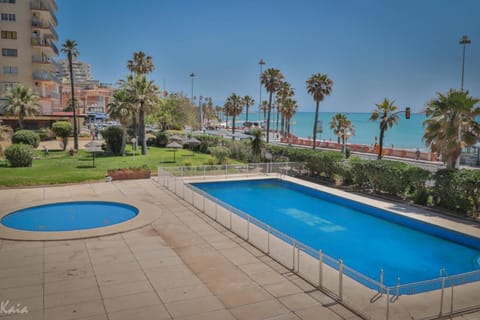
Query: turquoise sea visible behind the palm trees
x=406, y=134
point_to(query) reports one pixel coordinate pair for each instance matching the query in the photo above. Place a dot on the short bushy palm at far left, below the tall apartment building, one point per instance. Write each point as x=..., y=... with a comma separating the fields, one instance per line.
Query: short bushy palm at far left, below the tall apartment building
x=21, y=102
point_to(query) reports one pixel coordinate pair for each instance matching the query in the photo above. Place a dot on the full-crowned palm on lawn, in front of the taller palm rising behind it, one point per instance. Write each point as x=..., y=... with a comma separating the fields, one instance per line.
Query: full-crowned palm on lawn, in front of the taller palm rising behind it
x=145, y=94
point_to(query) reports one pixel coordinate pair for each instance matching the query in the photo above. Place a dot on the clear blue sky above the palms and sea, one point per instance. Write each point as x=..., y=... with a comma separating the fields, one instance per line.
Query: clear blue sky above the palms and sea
x=405, y=50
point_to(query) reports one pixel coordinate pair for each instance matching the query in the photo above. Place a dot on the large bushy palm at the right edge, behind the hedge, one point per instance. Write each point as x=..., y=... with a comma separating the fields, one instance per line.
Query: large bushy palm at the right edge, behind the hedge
x=451, y=123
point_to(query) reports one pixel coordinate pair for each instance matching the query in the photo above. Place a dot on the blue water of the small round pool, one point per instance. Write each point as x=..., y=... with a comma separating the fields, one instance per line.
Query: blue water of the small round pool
x=68, y=216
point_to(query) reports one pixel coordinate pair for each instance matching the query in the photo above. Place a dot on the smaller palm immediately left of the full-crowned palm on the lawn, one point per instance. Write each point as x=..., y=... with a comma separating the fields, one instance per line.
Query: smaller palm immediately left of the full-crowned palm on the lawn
x=122, y=109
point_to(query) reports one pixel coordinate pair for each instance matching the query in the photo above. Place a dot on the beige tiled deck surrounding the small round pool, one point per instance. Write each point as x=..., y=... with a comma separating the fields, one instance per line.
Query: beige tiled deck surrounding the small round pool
x=179, y=265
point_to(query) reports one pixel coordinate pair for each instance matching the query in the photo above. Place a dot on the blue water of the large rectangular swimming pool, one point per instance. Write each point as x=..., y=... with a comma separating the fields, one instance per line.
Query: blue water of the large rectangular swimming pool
x=367, y=239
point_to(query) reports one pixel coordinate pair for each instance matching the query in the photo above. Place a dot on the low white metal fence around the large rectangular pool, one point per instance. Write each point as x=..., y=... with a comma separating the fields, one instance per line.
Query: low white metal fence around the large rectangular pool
x=436, y=298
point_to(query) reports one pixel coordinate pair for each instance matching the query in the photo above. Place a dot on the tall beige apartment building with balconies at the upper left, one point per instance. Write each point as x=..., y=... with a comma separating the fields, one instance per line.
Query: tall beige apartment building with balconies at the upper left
x=28, y=40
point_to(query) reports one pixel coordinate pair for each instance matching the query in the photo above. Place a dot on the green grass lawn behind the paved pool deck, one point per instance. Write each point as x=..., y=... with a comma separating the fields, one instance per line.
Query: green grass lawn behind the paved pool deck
x=60, y=167
